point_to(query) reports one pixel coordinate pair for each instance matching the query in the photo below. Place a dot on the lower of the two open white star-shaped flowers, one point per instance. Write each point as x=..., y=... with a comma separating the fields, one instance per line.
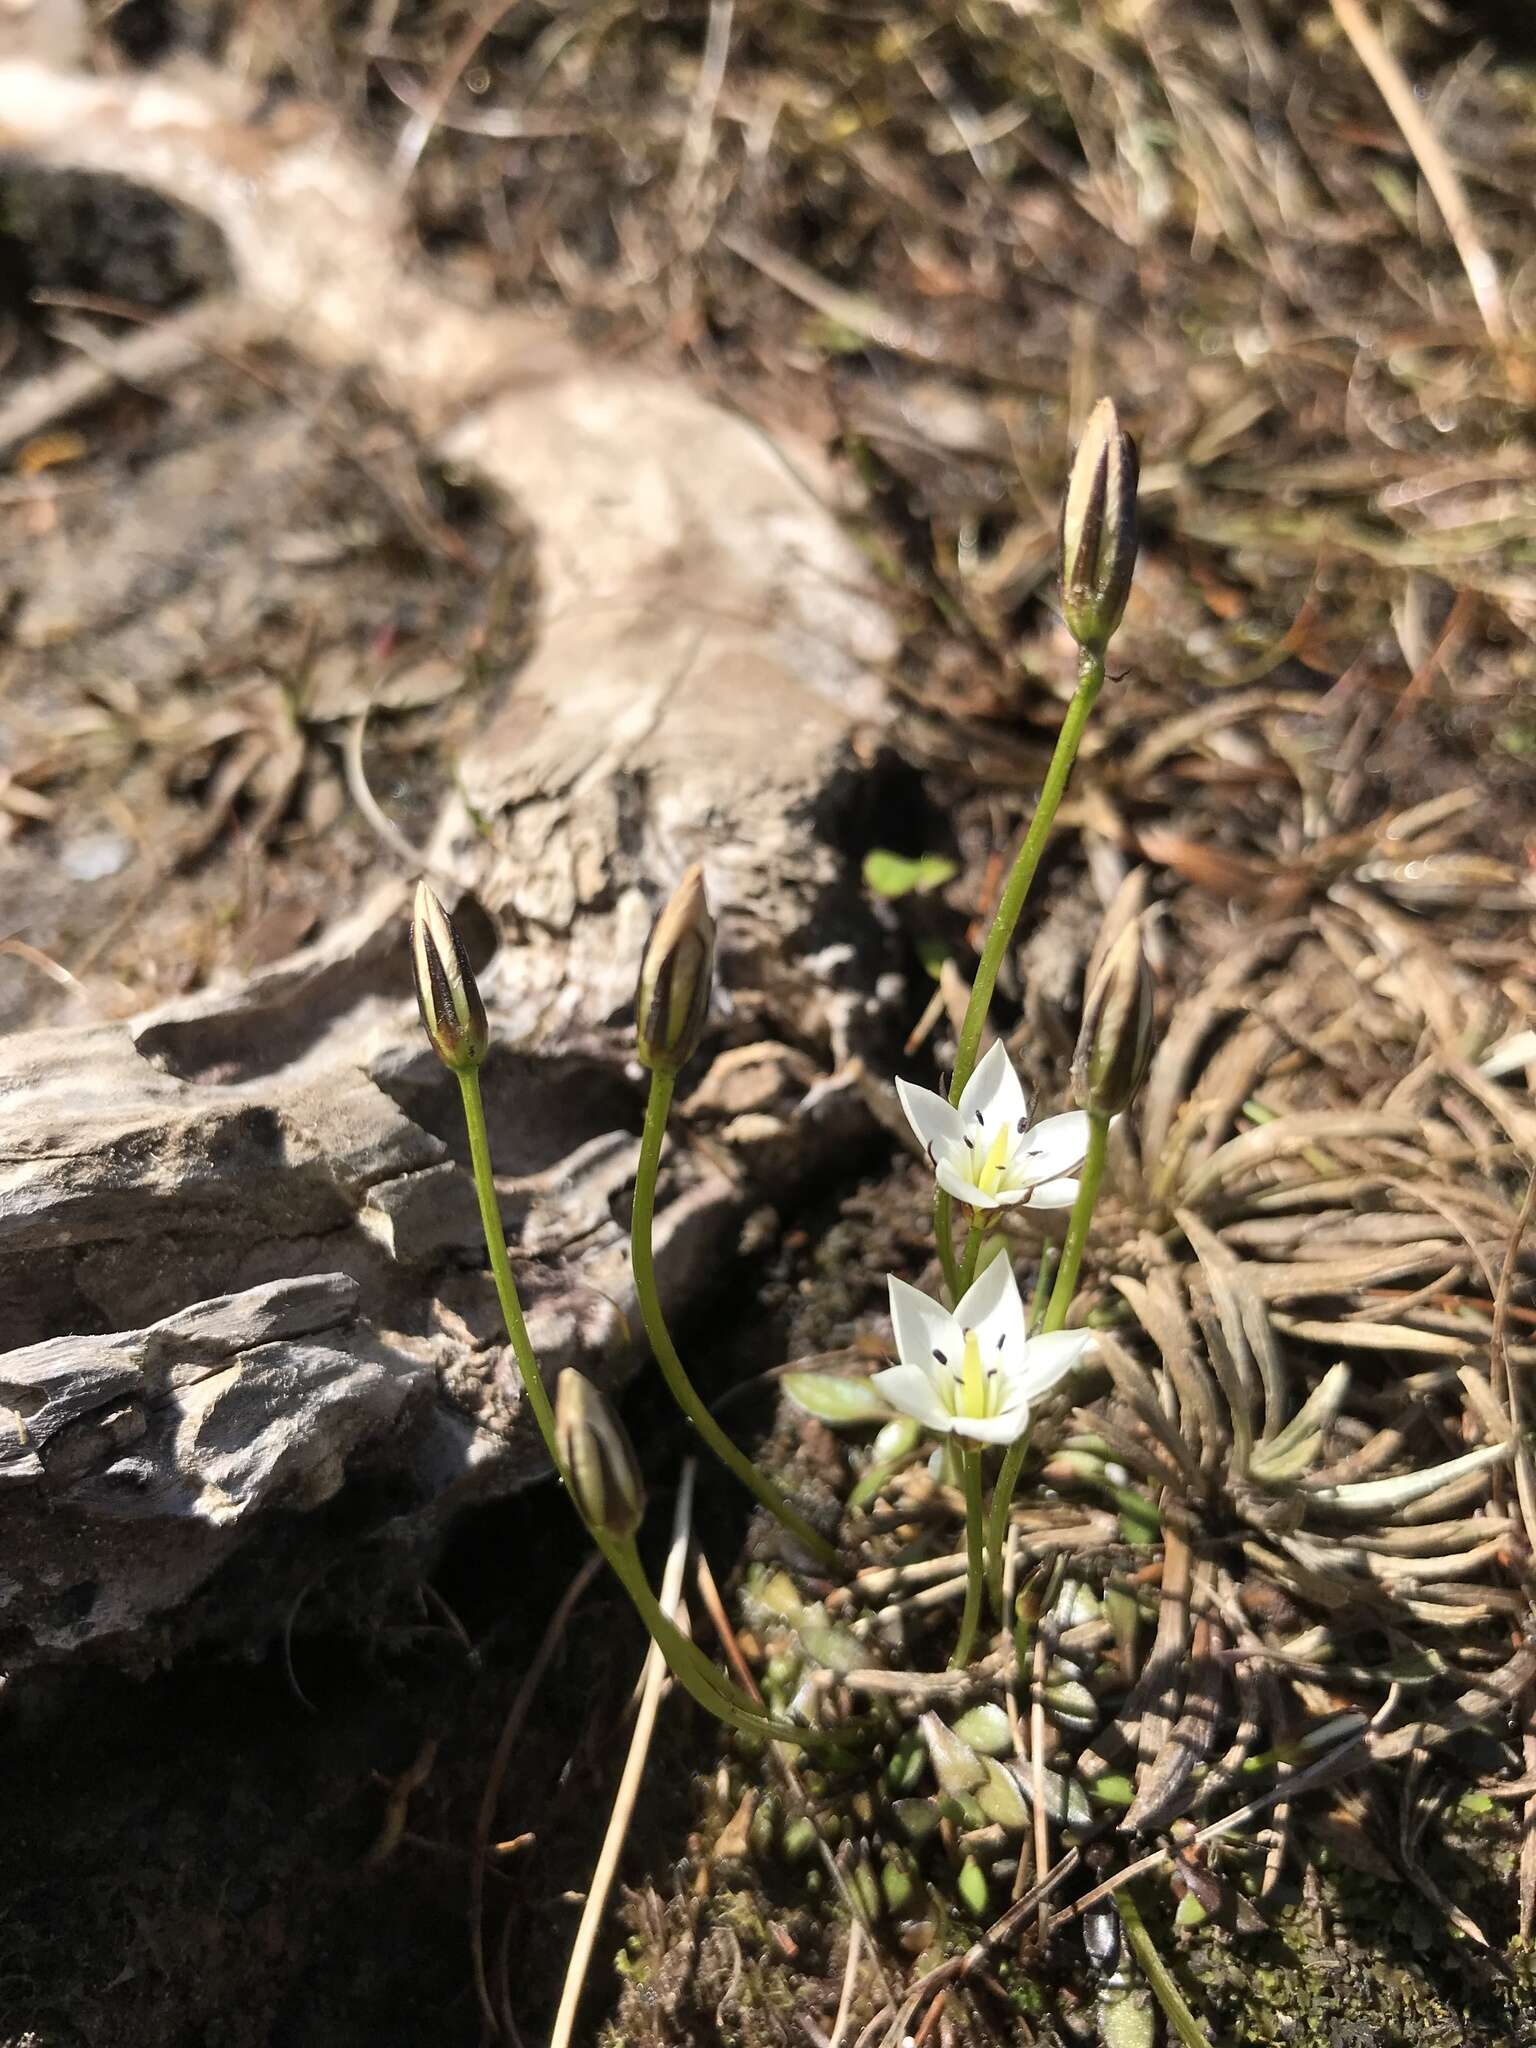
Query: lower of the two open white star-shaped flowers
x=974, y=1373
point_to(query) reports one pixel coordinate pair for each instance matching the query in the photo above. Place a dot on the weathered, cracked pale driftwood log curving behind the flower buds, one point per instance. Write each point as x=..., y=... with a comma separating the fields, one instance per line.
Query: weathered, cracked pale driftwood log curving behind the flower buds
x=239, y=1248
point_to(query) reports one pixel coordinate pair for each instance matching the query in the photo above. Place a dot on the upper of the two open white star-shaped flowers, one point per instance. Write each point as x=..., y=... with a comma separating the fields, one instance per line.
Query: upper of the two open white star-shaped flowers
x=986, y=1152
